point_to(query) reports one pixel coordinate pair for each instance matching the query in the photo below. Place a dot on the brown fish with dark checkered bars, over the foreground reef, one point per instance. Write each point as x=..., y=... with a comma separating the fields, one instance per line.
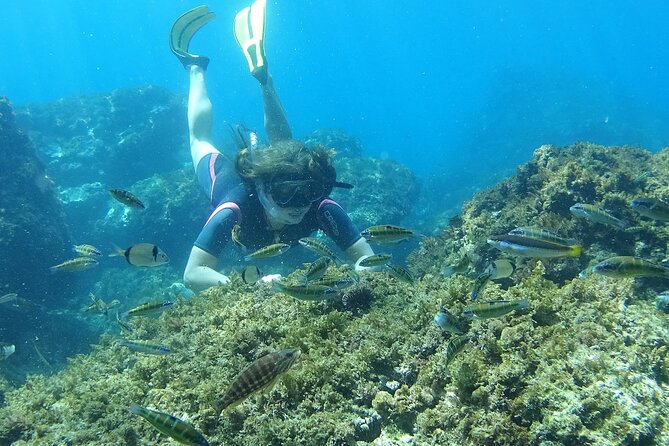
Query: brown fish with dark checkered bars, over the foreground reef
x=261, y=374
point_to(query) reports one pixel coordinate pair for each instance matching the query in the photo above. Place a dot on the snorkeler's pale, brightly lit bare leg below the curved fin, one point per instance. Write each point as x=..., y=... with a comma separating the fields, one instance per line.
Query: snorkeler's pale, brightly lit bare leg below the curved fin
x=199, y=116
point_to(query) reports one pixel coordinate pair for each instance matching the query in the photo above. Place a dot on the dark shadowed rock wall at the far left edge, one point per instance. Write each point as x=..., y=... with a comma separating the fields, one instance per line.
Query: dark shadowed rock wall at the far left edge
x=33, y=235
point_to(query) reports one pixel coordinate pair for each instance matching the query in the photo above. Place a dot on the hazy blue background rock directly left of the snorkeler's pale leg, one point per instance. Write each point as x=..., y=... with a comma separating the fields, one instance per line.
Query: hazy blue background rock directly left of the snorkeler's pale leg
x=85, y=139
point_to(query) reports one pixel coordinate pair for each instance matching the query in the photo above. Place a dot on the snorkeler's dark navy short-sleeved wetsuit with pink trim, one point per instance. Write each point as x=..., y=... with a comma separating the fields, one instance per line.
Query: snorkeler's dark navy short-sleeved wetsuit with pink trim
x=234, y=204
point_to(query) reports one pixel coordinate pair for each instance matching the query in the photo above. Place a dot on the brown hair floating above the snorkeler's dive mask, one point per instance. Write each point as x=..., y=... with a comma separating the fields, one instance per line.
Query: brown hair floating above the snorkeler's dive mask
x=287, y=158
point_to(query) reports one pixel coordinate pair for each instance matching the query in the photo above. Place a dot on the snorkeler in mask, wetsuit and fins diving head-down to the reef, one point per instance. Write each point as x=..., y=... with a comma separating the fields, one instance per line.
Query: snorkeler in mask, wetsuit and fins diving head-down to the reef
x=275, y=194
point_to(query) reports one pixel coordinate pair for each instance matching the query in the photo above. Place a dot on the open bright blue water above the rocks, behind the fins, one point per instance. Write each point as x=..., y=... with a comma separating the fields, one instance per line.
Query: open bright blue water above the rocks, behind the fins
x=437, y=86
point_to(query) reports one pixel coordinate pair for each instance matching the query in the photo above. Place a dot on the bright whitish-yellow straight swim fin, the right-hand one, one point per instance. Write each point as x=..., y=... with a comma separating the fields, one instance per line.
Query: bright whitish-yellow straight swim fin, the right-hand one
x=250, y=34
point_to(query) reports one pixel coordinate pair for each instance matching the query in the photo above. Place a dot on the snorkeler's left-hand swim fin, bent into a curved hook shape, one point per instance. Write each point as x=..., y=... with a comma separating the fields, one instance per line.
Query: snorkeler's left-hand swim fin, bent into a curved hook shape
x=182, y=32
